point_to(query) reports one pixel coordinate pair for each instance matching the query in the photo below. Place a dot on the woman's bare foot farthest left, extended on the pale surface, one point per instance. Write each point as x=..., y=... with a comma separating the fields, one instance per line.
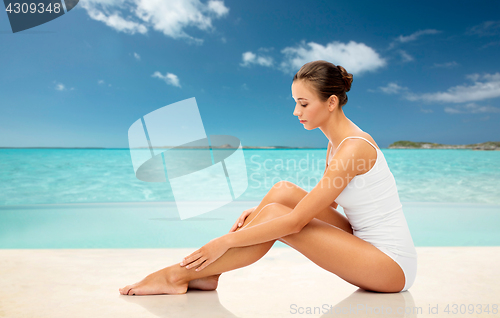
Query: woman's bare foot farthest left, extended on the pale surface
x=163, y=281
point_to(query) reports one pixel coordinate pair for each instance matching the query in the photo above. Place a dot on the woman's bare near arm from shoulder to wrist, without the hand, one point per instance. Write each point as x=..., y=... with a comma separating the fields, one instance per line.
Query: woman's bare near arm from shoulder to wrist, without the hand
x=339, y=173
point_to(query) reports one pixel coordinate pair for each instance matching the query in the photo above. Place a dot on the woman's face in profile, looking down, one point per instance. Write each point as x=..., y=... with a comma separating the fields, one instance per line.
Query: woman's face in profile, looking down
x=310, y=110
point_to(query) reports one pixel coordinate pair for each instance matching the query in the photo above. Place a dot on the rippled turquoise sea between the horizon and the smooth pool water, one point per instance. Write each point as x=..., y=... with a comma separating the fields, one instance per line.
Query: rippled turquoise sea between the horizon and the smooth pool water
x=49, y=176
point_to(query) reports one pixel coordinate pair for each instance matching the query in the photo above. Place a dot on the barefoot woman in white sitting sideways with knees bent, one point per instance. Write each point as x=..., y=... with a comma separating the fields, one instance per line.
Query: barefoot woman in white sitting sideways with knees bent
x=372, y=248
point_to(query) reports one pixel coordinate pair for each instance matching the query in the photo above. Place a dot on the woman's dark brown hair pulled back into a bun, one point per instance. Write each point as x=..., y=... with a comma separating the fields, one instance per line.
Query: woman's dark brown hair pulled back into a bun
x=327, y=79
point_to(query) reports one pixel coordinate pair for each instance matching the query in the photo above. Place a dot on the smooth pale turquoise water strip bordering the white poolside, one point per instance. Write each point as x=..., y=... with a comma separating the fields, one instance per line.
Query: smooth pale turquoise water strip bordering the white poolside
x=157, y=225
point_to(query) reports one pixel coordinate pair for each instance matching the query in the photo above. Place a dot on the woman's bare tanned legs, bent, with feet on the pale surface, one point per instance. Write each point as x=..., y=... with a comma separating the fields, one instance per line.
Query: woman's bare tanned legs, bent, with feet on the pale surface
x=331, y=246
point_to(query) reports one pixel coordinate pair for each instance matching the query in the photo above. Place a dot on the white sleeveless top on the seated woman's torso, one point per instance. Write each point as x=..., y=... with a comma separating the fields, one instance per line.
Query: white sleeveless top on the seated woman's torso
x=371, y=204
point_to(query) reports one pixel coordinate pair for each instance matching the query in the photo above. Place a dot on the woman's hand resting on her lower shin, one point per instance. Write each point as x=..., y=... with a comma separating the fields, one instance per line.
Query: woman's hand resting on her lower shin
x=206, y=255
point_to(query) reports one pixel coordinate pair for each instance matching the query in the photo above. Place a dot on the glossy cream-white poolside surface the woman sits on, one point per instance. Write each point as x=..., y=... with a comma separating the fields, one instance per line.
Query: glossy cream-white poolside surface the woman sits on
x=84, y=283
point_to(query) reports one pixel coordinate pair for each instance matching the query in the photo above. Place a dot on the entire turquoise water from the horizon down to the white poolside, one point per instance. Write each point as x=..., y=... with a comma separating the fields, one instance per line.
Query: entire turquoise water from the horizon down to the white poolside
x=88, y=198
